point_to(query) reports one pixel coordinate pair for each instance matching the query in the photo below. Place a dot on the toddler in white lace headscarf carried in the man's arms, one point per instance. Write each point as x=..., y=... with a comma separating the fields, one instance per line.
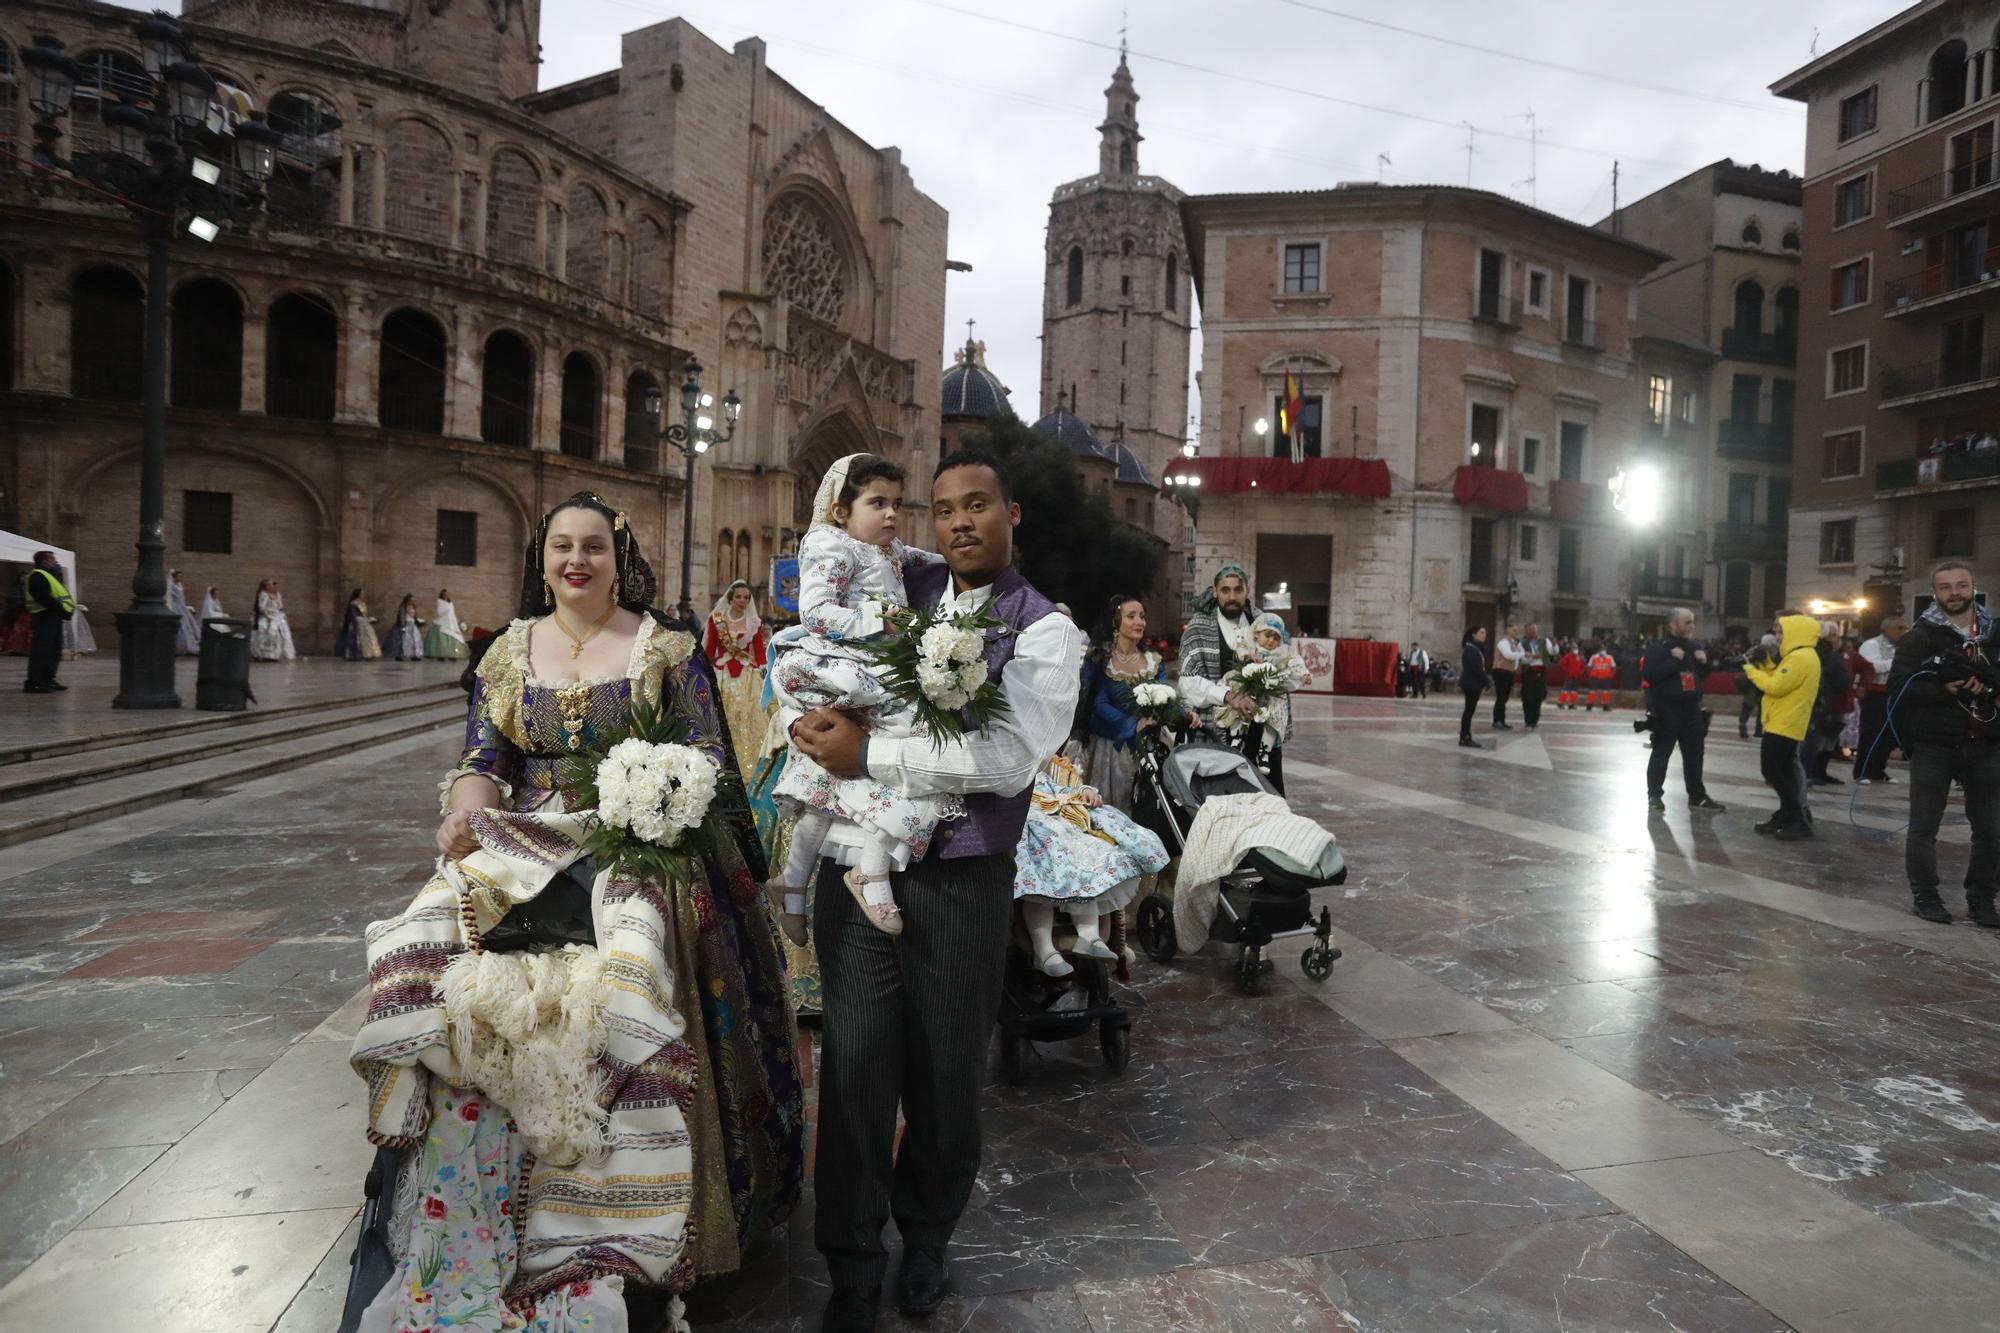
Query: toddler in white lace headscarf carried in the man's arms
x=849, y=589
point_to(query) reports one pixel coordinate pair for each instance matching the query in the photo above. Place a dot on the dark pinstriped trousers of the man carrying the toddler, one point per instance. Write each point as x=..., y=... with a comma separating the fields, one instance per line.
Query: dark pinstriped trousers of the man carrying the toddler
x=907, y=1022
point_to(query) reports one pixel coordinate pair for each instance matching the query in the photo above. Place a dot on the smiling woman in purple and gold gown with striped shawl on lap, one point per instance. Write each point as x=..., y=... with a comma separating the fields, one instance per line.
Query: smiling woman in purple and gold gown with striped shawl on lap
x=695, y=1060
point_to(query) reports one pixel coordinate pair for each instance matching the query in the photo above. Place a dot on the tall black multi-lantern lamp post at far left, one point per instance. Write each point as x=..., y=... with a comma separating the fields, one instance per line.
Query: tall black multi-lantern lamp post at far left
x=179, y=165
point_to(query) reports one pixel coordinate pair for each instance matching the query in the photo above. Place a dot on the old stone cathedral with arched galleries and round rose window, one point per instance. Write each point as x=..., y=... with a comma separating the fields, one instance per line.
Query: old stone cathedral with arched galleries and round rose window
x=457, y=309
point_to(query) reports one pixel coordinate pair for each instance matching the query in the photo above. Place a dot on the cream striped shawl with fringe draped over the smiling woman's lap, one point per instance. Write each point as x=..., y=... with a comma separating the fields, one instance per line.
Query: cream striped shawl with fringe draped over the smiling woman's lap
x=609, y=1186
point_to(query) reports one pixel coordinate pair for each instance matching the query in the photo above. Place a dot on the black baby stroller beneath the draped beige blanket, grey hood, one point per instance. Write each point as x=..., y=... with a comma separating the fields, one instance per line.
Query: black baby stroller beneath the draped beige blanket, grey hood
x=1265, y=898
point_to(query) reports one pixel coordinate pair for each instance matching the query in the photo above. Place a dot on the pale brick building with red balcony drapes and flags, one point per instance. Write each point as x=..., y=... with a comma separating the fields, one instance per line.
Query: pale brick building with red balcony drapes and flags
x=1467, y=369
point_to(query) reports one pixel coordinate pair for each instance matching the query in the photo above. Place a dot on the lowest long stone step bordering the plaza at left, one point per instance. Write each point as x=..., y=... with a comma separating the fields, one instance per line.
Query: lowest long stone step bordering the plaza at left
x=55, y=812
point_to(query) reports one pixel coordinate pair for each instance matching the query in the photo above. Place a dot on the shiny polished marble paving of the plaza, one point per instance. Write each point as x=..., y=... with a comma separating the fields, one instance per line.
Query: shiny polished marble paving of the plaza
x=1579, y=1070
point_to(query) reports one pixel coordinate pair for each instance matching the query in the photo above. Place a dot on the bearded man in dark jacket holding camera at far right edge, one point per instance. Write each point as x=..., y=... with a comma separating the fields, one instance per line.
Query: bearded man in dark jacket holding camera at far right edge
x=1943, y=694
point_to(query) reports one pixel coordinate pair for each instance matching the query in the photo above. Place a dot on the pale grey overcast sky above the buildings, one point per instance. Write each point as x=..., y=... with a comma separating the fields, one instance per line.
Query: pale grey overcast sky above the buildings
x=995, y=103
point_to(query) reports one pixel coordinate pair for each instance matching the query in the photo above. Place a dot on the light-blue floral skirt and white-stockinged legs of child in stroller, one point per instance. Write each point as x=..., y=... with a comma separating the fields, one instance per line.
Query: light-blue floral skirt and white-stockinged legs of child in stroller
x=1081, y=856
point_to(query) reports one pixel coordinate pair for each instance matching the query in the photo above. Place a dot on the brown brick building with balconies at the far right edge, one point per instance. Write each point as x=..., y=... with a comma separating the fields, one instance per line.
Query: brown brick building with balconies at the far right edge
x=1899, y=359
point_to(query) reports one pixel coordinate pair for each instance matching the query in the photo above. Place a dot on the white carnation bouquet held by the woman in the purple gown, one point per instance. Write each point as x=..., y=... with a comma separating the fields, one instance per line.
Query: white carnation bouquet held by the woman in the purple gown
x=651, y=798
